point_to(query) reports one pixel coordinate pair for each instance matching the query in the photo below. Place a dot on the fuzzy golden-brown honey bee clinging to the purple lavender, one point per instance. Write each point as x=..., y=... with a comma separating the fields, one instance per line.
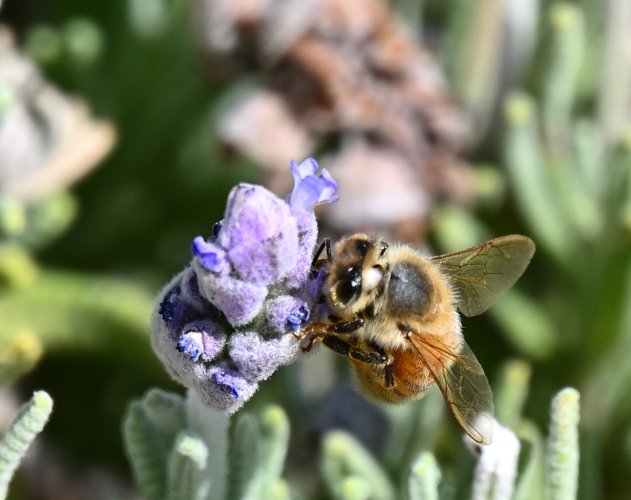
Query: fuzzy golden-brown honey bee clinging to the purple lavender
x=394, y=313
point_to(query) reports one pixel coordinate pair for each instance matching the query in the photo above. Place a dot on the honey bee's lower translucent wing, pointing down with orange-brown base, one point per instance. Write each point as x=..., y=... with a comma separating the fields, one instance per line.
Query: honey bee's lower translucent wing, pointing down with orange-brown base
x=462, y=381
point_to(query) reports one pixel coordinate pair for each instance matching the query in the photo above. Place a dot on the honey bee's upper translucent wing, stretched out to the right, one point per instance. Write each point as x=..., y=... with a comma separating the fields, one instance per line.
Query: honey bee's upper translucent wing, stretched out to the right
x=479, y=274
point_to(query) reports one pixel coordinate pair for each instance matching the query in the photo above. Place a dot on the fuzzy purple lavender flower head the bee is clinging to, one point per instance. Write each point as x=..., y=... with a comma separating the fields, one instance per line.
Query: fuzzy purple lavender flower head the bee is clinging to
x=226, y=322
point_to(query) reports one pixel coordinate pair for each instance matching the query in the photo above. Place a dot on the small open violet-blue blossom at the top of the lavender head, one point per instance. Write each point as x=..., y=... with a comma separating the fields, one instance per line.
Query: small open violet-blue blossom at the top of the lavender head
x=310, y=189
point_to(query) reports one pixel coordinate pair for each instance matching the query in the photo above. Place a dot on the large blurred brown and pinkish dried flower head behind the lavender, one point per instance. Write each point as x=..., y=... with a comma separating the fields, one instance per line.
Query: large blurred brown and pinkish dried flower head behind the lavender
x=346, y=78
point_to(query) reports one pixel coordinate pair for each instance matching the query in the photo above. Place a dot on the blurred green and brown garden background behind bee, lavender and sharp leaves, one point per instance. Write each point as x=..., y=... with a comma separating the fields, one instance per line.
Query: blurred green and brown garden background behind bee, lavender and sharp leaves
x=124, y=124
